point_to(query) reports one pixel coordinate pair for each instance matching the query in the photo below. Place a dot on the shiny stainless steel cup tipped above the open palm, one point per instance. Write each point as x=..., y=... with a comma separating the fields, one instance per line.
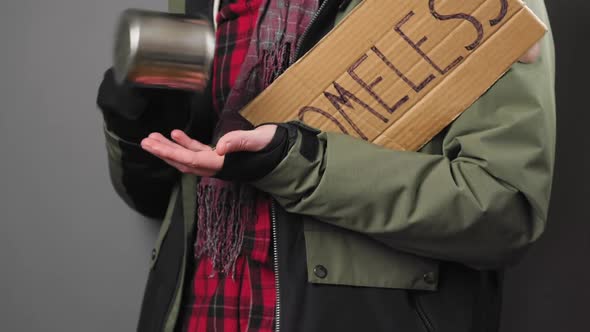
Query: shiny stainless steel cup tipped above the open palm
x=162, y=49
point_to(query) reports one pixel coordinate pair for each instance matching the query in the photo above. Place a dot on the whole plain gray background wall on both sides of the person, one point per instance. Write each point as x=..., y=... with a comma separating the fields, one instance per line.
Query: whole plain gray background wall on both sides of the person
x=73, y=257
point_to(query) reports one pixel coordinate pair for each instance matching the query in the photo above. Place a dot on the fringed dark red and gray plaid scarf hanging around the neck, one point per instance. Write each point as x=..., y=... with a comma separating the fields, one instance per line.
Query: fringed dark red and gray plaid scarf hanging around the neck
x=225, y=209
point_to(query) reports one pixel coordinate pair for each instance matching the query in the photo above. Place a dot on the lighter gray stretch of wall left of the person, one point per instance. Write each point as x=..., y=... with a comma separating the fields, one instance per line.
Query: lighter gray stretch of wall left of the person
x=73, y=256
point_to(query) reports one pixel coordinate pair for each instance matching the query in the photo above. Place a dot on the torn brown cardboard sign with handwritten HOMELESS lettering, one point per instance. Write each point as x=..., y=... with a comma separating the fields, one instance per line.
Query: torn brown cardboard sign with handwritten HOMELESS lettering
x=396, y=73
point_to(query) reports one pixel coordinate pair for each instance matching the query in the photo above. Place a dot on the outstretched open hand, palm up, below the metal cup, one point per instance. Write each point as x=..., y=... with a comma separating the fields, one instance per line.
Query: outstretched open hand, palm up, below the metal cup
x=193, y=157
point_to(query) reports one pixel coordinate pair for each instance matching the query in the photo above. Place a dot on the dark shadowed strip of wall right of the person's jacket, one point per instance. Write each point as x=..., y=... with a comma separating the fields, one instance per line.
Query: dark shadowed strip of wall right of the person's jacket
x=549, y=290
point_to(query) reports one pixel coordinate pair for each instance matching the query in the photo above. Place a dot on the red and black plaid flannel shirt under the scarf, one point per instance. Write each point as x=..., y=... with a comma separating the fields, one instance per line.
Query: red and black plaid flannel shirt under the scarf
x=245, y=302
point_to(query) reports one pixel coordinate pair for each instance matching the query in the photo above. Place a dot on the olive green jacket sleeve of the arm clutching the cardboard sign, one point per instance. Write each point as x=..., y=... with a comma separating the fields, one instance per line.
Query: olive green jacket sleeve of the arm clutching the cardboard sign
x=480, y=203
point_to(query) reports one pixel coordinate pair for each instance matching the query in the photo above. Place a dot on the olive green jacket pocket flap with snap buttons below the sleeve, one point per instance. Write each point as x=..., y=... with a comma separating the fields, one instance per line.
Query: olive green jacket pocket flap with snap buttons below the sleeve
x=340, y=257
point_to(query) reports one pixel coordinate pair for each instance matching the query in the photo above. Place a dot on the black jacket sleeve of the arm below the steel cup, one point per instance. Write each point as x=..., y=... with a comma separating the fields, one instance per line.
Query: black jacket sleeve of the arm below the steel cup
x=142, y=180
